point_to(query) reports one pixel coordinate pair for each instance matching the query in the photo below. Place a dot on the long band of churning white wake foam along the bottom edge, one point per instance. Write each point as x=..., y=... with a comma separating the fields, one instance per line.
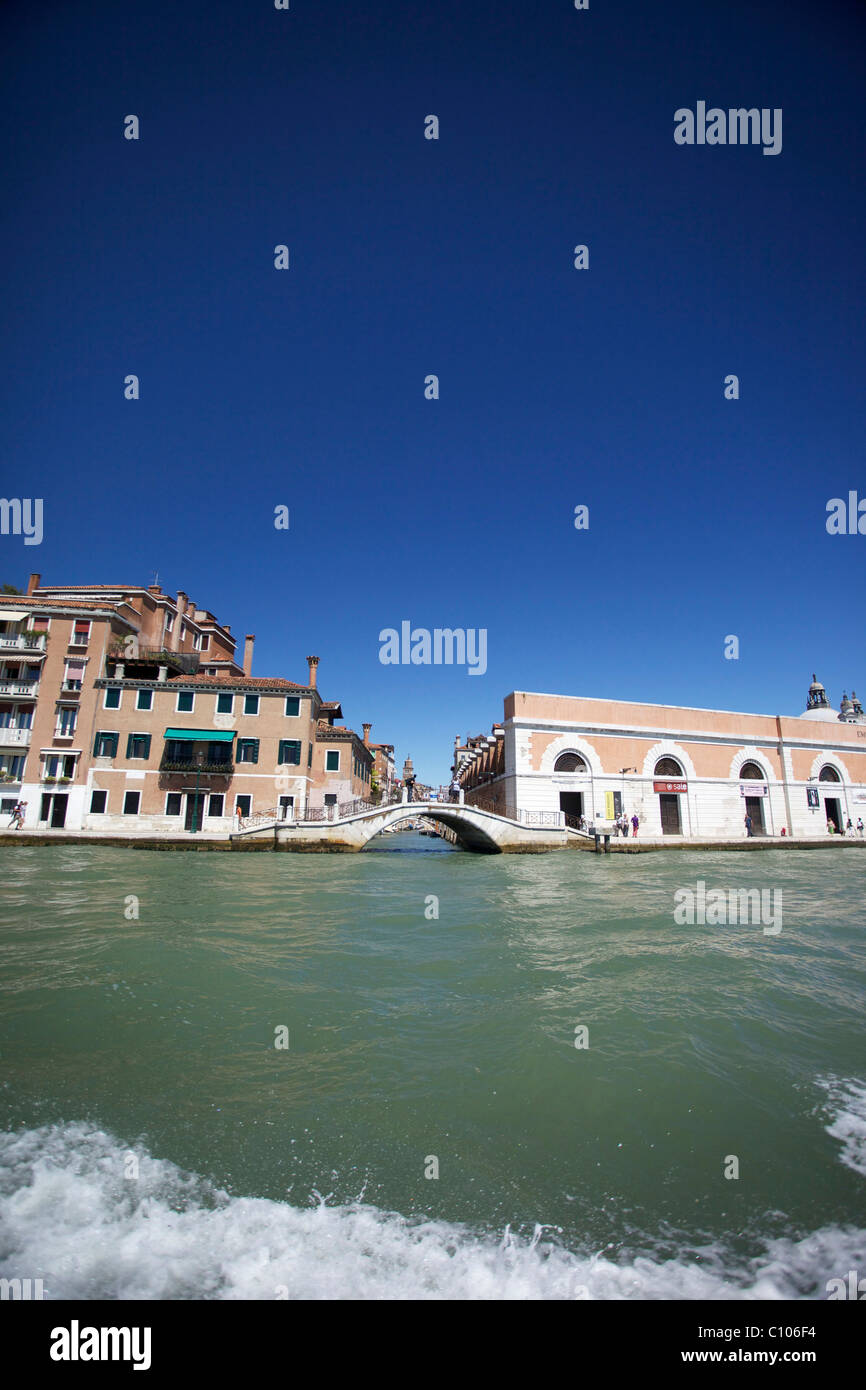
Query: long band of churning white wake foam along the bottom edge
x=70, y=1217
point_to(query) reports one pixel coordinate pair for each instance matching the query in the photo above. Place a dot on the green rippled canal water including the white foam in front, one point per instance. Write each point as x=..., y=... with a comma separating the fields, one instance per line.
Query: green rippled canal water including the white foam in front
x=159, y=1145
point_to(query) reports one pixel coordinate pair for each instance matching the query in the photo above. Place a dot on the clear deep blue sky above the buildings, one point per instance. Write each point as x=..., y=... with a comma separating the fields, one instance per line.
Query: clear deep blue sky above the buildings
x=455, y=256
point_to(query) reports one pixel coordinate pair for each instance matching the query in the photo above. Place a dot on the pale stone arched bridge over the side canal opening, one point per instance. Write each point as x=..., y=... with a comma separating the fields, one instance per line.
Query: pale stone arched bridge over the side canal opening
x=475, y=829
